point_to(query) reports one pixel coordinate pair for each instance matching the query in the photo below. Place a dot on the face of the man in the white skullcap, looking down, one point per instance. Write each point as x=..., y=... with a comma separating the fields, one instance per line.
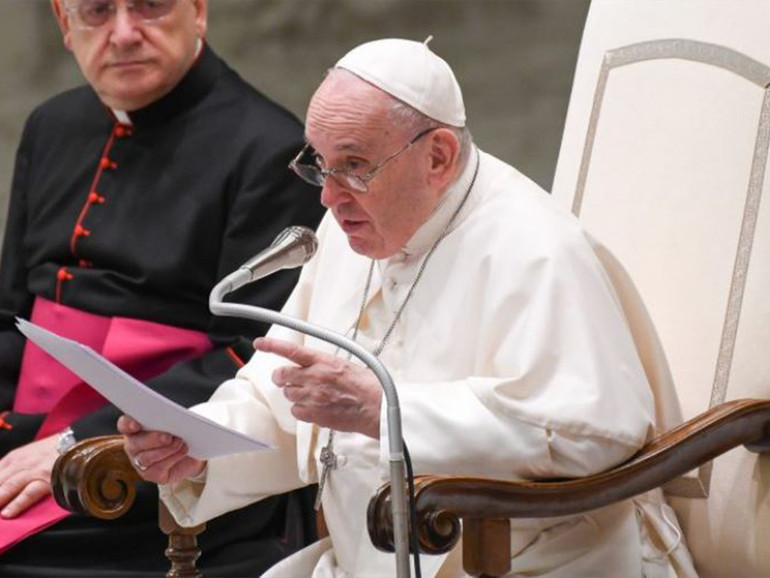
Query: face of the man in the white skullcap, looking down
x=349, y=128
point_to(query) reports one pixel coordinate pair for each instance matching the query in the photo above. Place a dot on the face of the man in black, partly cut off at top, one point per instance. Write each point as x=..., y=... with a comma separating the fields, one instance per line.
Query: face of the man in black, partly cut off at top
x=131, y=63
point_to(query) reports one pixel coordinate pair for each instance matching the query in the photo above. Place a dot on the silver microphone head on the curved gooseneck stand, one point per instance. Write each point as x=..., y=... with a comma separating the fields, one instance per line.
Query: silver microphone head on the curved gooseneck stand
x=293, y=247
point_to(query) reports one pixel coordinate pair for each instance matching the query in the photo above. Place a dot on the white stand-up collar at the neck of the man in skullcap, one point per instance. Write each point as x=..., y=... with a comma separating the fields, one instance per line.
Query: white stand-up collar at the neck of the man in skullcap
x=427, y=234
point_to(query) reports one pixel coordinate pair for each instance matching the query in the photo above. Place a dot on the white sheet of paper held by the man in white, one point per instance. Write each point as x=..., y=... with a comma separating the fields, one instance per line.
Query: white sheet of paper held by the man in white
x=205, y=438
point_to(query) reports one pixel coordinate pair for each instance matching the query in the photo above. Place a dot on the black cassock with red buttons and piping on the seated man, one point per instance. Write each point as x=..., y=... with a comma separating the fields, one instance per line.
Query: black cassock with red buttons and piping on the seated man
x=141, y=221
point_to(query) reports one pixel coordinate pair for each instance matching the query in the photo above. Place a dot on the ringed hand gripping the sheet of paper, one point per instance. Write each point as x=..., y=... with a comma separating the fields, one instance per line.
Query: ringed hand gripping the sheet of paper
x=157, y=456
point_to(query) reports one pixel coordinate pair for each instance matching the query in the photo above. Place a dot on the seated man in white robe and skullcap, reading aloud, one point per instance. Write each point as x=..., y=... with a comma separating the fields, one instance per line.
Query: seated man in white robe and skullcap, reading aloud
x=508, y=347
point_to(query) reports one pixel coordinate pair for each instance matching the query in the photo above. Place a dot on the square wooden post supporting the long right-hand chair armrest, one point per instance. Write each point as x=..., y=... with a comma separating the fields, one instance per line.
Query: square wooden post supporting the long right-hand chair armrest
x=486, y=546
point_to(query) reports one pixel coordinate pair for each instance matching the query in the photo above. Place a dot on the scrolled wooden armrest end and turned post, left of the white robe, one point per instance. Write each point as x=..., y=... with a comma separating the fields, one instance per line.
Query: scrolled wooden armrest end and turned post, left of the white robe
x=95, y=478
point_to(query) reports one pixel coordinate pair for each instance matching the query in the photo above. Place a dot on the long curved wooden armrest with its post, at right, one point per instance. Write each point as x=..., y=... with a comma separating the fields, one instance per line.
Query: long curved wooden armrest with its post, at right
x=486, y=506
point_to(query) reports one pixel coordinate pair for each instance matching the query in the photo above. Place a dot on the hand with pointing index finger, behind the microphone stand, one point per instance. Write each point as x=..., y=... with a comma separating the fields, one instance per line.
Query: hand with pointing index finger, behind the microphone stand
x=325, y=389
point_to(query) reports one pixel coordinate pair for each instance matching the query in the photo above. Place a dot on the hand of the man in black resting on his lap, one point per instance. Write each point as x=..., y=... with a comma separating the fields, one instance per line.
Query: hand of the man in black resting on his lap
x=25, y=476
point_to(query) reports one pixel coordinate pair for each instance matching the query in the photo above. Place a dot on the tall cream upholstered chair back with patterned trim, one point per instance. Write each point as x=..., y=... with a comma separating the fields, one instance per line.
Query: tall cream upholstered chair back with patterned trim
x=664, y=160
